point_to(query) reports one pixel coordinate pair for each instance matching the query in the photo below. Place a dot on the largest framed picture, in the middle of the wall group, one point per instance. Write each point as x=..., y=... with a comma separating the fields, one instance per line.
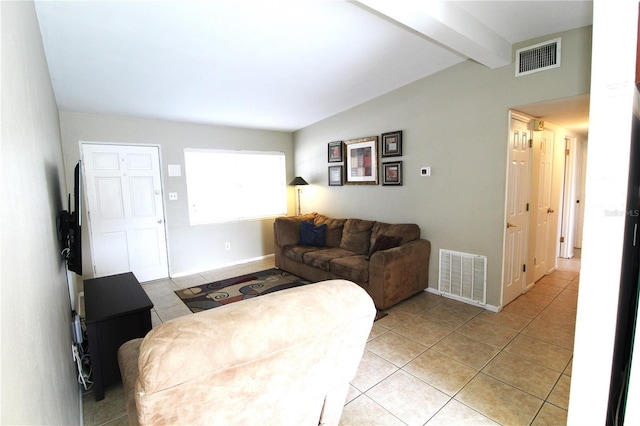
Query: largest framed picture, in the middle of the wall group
x=361, y=157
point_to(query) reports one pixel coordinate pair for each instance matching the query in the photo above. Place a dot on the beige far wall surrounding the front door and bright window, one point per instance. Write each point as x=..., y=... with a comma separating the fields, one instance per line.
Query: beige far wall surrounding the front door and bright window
x=191, y=248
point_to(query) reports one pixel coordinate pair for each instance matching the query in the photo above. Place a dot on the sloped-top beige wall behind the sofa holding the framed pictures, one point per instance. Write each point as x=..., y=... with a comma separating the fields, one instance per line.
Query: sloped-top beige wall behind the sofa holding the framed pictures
x=456, y=122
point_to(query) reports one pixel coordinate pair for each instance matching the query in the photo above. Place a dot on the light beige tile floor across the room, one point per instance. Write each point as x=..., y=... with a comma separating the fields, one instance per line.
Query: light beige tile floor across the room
x=434, y=360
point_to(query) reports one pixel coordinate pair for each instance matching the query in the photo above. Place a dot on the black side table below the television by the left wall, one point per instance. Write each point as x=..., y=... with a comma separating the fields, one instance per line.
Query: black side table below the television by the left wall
x=117, y=309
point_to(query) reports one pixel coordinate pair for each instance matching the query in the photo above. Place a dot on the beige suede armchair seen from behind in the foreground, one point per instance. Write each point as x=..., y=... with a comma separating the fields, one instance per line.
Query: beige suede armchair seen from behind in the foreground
x=285, y=358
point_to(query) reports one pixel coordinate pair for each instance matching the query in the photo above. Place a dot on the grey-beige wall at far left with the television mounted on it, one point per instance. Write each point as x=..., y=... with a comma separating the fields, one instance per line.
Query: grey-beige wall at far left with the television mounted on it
x=38, y=375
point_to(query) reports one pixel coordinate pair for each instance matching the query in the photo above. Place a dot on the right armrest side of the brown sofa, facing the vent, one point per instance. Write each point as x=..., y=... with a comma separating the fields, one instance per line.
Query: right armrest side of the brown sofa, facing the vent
x=399, y=272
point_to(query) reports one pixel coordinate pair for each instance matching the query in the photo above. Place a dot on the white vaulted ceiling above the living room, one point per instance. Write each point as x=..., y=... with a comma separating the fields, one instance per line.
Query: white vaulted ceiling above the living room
x=279, y=64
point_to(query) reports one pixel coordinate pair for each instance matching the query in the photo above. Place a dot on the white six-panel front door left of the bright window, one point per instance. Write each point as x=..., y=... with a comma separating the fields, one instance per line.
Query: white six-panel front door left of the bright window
x=125, y=210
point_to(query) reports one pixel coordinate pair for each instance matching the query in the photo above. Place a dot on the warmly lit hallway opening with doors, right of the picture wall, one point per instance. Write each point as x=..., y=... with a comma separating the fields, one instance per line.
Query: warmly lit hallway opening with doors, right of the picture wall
x=554, y=189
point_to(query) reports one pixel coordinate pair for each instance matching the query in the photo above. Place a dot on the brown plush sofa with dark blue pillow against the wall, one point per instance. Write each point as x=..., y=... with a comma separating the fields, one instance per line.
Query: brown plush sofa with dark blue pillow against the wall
x=355, y=250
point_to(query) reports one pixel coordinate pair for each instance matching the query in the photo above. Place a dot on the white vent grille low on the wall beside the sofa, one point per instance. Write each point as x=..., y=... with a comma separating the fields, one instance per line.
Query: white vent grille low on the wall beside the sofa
x=463, y=276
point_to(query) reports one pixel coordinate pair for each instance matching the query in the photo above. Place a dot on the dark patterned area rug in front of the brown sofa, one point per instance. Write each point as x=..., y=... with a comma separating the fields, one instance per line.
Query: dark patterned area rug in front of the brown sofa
x=220, y=293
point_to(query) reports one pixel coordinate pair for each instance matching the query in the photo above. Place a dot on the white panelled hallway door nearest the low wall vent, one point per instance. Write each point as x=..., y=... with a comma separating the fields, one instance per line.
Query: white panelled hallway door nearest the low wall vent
x=516, y=209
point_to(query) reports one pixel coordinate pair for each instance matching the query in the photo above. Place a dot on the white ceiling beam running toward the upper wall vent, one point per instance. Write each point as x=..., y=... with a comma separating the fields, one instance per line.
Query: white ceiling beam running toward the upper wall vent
x=447, y=24
